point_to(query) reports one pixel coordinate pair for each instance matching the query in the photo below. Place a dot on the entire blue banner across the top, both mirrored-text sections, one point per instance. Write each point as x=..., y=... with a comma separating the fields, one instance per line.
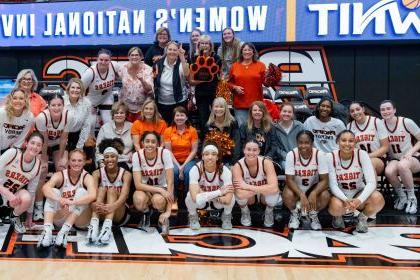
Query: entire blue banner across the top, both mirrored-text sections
x=264, y=21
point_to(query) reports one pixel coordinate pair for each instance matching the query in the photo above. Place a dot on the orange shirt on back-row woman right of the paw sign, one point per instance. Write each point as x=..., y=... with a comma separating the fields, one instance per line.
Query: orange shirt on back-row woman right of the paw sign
x=251, y=78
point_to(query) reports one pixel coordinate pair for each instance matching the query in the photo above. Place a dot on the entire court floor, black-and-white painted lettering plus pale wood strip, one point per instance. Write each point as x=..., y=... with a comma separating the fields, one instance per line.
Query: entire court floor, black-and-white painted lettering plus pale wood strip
x=390, y=250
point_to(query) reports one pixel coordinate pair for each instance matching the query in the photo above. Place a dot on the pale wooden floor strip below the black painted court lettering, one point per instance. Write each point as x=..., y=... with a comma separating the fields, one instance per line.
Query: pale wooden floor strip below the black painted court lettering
x=21, y=269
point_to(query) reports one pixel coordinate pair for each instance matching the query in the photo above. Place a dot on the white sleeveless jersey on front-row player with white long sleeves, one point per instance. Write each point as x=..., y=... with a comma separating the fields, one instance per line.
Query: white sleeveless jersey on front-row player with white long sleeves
x=349, y=177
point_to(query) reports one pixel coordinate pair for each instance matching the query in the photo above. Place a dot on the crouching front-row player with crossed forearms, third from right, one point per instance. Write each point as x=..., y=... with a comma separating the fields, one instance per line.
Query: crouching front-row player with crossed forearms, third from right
x=254, y=178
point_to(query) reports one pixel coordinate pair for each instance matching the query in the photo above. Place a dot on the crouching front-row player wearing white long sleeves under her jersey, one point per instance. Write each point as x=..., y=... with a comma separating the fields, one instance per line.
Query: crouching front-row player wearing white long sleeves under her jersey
x=352, y=183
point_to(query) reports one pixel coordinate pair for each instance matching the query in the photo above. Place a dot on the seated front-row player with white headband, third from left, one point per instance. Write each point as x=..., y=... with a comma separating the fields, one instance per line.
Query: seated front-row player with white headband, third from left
x=113, y=185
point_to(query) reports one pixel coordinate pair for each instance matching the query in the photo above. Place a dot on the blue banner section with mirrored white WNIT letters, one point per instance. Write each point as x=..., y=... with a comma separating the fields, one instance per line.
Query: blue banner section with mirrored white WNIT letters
x=362, y=20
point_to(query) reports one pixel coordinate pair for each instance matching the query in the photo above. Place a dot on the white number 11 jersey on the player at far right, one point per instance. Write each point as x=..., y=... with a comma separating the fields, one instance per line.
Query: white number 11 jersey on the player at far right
x=399, y=139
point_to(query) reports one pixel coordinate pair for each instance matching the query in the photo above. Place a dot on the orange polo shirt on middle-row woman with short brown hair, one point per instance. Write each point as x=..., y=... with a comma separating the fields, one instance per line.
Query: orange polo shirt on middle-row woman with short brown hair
x=181, y=144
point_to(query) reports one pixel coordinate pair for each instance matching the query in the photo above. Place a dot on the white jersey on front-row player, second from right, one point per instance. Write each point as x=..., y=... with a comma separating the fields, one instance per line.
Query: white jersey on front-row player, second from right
x=306, y=170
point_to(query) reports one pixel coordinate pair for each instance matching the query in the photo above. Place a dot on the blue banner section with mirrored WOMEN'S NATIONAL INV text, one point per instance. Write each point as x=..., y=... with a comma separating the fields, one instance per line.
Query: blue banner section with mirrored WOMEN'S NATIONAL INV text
x=135, y=22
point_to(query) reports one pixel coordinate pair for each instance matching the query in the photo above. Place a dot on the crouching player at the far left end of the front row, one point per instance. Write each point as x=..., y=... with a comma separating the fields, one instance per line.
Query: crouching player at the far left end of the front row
x=18, y=169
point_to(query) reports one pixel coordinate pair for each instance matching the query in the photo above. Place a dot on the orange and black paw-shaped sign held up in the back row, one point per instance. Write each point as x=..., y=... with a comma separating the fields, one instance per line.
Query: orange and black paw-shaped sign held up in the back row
x=204, y=68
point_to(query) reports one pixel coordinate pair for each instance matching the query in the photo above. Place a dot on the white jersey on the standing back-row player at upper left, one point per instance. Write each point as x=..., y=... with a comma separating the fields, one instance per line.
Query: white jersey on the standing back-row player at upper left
x=101, y=85
